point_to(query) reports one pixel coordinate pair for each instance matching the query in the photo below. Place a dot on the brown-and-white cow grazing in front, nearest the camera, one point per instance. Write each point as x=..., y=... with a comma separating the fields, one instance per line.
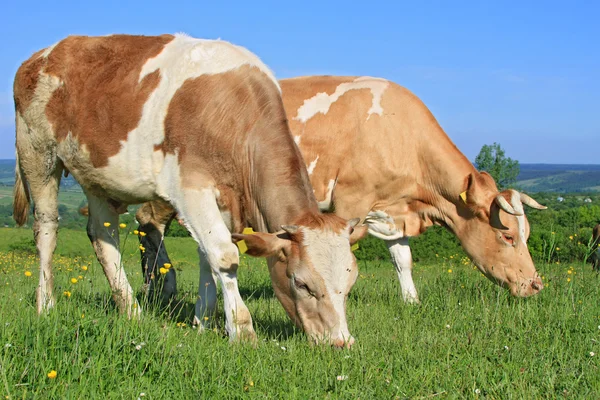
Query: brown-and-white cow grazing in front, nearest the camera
x=199, y=124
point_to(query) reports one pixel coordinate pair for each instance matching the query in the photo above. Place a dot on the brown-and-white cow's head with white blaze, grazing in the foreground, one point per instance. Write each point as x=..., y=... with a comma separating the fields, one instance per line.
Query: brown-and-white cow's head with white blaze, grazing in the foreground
x=312, y=270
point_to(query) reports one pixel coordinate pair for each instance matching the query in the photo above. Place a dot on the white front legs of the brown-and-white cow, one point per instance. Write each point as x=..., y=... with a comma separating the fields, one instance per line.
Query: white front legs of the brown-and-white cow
x=203, y=218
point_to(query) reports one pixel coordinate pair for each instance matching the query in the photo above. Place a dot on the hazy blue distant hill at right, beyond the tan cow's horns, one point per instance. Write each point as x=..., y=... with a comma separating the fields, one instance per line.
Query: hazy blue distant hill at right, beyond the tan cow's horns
x=560, y=178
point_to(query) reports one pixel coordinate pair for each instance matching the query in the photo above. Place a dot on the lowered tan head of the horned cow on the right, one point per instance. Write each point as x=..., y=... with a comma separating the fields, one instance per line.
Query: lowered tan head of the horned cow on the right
x=495, y=234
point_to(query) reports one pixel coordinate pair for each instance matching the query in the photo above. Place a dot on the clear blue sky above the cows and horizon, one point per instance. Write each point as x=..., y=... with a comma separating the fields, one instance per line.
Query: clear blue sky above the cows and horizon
x=524, y=74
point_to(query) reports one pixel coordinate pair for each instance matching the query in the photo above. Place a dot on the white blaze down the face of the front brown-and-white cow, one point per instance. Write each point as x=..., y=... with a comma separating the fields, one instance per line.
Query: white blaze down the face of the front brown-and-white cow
x=330, y=255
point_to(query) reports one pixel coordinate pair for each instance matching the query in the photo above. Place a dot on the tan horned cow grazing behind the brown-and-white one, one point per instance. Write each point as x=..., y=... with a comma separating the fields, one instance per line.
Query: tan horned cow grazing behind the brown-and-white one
x=374, y=150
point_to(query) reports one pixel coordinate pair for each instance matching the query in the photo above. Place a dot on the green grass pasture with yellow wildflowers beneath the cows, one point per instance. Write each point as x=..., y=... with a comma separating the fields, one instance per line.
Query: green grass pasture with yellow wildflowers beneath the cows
x=467, y=339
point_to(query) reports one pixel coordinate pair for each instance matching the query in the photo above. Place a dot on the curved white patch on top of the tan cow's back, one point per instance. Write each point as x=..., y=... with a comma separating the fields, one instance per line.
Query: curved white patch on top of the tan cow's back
x=321, y=102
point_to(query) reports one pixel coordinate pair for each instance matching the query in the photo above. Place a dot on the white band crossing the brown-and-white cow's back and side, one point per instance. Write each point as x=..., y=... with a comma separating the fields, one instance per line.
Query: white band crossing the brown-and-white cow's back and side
x=181, y=59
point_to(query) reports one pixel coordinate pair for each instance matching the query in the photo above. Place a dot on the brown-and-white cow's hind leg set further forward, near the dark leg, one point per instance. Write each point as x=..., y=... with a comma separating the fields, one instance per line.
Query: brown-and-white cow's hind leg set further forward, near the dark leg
x=103, y=231
